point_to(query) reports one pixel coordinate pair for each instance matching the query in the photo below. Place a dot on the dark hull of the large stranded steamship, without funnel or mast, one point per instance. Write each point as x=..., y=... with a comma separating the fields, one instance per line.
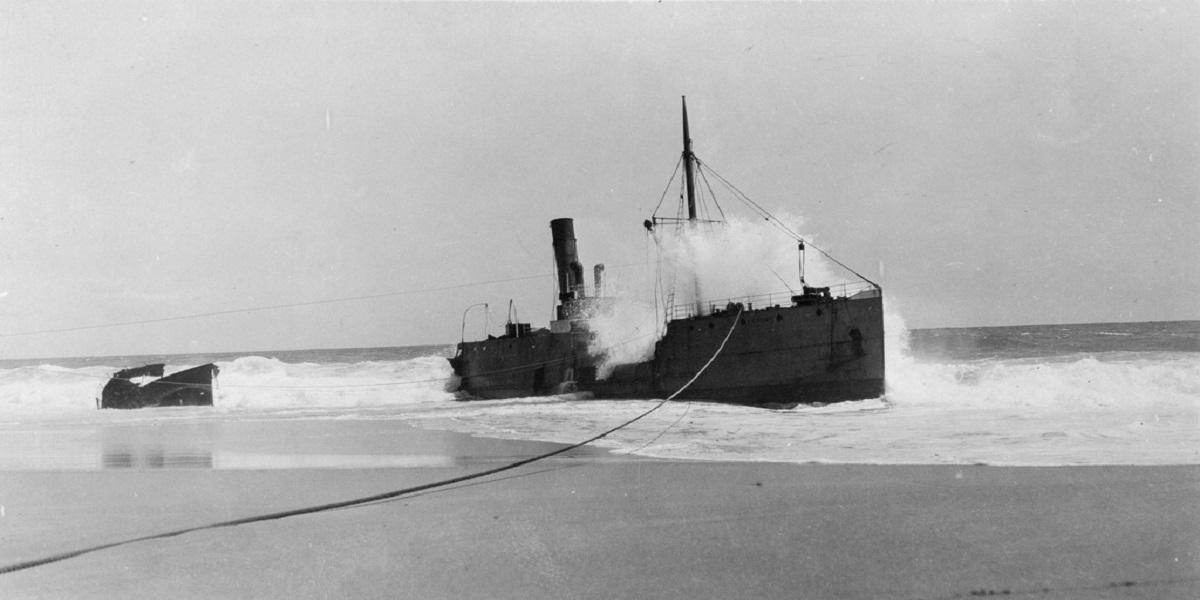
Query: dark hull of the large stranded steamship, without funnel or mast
x=821, y=352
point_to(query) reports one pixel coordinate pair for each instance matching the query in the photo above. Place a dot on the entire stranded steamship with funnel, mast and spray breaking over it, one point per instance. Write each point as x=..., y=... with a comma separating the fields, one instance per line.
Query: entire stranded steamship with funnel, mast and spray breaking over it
x=817, y=345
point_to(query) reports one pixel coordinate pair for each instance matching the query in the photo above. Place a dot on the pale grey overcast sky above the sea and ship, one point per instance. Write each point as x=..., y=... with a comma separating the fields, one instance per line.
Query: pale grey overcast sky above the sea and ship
x=991, y=164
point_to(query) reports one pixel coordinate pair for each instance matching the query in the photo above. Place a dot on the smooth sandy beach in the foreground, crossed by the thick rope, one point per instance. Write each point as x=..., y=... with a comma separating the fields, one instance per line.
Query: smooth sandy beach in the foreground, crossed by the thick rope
x=602, y=526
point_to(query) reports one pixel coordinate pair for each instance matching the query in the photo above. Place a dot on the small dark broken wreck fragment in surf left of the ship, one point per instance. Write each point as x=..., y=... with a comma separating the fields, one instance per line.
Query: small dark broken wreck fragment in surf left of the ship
x=189, y=388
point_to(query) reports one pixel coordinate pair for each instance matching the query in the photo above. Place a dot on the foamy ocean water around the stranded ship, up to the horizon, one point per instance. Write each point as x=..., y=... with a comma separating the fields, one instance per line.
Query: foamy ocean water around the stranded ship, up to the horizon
x=1046, y=395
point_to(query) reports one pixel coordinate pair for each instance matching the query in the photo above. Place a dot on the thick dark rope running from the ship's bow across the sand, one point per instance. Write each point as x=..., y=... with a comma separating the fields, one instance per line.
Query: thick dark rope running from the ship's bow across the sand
x=385, y=496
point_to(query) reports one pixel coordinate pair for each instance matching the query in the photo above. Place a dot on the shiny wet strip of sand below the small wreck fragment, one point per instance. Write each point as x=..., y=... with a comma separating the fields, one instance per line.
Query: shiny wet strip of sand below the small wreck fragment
x=262, y=445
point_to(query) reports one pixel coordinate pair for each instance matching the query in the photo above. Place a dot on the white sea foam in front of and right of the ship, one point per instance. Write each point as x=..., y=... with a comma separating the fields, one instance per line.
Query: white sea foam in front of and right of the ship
x=1082, y=411
